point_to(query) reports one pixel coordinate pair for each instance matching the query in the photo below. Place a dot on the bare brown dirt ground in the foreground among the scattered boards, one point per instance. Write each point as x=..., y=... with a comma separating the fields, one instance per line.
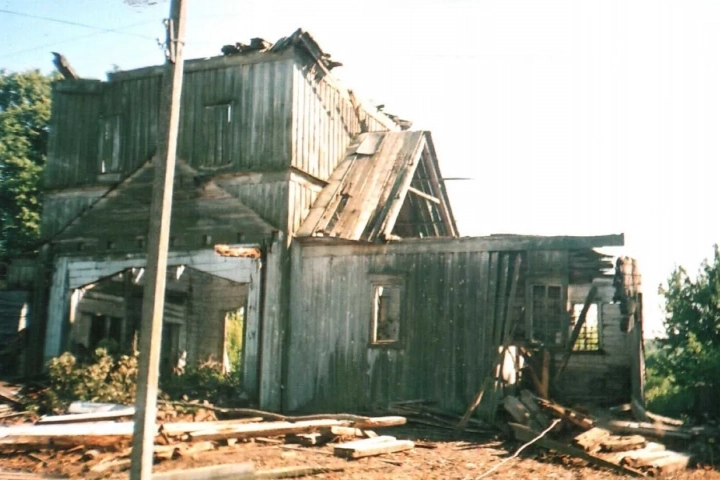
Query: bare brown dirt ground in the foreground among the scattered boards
x=467, y=457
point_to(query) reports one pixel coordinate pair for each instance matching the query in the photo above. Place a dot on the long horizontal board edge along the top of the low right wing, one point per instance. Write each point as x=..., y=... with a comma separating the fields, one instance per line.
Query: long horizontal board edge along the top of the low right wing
x=465, y=244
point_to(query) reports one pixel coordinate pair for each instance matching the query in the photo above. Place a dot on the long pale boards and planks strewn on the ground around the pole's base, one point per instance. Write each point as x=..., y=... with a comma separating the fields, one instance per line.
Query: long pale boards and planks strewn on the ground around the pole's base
x=99, y=436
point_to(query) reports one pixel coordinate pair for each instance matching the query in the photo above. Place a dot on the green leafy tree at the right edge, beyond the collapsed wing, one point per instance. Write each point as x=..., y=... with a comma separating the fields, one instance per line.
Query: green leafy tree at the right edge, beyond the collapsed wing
x=691, y=351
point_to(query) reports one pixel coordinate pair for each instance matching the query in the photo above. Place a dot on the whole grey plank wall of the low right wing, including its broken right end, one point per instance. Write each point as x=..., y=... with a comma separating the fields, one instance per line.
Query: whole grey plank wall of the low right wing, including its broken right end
x=452, y=324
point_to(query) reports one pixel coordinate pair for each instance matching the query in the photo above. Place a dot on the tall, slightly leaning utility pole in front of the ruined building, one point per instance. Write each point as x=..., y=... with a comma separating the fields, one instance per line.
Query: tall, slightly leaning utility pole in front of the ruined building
x=158, y=235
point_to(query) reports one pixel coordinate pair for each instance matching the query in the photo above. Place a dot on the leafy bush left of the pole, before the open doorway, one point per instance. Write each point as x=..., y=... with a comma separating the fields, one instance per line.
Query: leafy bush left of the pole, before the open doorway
x=106, y=379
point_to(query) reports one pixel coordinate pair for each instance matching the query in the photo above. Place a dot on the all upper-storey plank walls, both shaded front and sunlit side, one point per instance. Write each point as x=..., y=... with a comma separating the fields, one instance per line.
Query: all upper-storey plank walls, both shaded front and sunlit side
x=267, y=113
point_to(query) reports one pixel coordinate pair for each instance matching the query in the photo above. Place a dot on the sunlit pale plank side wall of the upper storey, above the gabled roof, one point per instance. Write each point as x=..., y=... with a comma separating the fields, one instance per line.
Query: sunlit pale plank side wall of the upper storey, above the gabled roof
x=323, y=123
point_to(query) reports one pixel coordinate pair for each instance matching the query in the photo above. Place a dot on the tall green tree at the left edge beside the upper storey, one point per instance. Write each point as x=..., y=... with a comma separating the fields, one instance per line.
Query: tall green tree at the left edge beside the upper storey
x=24, y=116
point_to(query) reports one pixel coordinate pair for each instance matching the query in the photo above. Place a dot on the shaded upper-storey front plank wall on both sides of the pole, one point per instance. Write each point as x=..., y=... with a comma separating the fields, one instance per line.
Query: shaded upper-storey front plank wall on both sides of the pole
x=251, y=134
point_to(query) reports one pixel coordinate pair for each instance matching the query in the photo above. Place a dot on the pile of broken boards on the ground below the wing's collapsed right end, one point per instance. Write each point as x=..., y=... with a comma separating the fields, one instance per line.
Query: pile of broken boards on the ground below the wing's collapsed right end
x=622, y=446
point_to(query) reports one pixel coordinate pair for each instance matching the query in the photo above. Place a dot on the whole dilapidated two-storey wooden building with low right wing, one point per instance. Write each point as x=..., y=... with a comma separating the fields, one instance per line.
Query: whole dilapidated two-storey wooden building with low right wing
x=322, y=223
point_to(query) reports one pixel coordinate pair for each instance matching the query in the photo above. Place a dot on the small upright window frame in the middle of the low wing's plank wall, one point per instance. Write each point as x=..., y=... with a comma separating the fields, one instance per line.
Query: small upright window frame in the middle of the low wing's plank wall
x=396, y=284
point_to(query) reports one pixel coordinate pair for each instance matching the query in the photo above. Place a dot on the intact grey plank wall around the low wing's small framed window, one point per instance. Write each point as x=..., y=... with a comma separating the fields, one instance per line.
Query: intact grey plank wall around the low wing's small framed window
x=446, y=344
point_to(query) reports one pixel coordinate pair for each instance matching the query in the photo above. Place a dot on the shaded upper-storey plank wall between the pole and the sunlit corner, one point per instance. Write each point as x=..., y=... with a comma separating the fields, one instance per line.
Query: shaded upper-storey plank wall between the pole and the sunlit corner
x=256, y=135
